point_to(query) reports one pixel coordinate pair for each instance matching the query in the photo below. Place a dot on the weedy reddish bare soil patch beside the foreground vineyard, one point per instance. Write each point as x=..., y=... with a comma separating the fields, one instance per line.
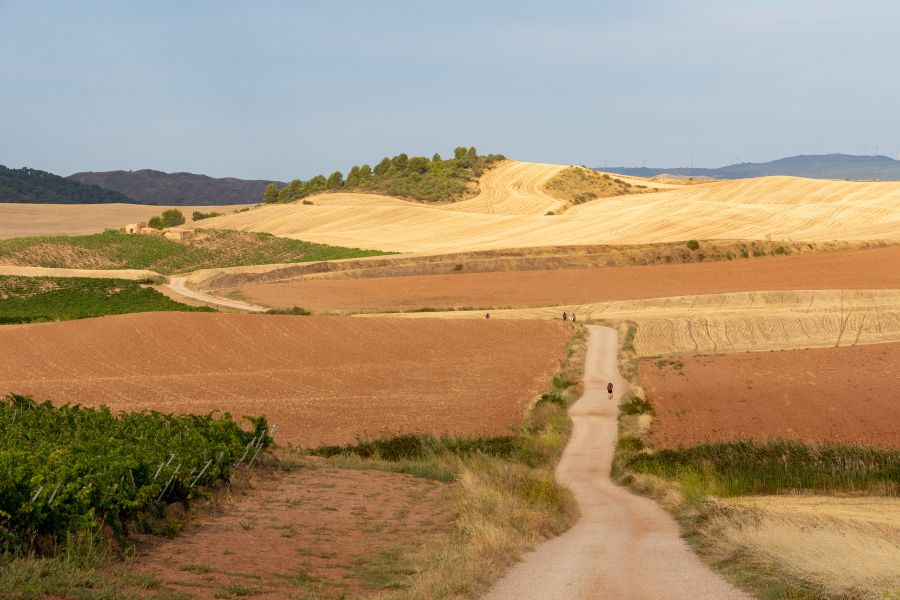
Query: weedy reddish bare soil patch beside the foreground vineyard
x=317, y=532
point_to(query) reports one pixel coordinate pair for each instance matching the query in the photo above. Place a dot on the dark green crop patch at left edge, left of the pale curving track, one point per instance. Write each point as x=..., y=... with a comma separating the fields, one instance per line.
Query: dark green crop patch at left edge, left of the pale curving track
x=33, y=299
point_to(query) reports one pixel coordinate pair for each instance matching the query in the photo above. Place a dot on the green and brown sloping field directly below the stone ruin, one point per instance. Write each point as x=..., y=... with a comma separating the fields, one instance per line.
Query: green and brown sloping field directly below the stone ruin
x=209, y=249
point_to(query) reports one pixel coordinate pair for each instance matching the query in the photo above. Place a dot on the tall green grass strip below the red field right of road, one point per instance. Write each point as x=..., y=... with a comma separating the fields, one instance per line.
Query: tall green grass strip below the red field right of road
x=745, y=468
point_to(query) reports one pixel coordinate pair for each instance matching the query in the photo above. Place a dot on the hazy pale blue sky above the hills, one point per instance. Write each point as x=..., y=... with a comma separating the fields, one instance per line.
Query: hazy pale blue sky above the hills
x=283, y=90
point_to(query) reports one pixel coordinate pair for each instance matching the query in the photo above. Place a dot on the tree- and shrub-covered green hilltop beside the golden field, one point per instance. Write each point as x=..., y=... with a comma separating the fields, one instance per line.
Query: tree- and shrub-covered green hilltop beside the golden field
x=416, y=177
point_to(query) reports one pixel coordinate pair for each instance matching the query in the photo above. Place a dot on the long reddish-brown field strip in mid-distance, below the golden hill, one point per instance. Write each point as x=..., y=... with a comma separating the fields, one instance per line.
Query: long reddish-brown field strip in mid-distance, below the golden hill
x=877, y=268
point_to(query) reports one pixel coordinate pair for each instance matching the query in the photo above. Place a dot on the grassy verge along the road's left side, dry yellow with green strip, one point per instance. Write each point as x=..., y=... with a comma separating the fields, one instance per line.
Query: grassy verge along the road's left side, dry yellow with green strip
x=505, y=496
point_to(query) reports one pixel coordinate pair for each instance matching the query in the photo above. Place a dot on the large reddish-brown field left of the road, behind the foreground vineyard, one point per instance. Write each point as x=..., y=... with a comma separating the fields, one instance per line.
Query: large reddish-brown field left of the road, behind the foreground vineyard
x=320, y=380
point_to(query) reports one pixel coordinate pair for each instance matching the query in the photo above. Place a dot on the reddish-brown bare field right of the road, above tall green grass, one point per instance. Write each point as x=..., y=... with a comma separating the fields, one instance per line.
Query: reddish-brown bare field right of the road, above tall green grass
x=845, y=394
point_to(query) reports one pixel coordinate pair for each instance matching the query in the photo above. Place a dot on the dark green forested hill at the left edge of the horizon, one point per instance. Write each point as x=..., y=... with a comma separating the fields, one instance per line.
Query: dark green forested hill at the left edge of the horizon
x=41, y=187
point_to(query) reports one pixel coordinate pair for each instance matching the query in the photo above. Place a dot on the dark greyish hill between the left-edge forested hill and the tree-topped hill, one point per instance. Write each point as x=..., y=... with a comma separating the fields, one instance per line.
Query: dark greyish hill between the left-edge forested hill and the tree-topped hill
x=155, y=187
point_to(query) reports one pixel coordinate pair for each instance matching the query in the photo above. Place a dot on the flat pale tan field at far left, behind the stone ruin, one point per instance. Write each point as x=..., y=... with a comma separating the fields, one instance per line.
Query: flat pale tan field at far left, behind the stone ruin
x=27, y=220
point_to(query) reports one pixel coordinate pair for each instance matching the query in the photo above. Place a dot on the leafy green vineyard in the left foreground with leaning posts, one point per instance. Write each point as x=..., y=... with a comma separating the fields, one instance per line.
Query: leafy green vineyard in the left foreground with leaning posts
x=72, y=469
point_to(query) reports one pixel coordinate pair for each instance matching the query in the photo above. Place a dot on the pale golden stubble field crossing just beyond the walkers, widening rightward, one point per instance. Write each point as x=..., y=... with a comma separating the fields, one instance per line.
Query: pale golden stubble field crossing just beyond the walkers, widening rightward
x=744, y=321
